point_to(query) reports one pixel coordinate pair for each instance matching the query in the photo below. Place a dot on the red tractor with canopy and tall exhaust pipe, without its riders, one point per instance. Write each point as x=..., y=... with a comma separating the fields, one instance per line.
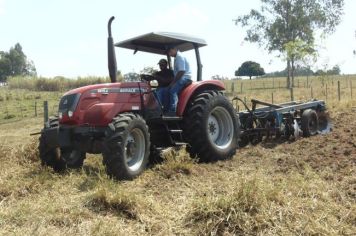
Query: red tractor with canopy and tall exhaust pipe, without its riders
x=124, y=121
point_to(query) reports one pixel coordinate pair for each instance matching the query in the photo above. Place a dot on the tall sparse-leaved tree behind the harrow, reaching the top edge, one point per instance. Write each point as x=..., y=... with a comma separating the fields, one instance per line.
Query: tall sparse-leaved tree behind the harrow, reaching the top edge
x=280, y=23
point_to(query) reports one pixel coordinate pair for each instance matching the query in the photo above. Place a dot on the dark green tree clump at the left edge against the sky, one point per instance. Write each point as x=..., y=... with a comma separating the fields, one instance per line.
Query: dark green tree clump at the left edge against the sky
x=15, y=63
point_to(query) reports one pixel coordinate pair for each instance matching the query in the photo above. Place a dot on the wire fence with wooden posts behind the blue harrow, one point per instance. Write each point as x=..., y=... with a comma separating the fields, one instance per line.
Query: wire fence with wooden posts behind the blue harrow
x=326, y=88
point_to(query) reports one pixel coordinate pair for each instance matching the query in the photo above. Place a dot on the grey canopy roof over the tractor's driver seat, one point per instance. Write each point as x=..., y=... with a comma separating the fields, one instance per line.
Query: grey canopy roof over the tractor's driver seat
x=159, y=42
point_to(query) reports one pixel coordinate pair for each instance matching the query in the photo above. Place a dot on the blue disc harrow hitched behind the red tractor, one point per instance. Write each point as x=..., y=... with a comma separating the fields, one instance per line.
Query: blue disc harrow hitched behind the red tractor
x=291, y=119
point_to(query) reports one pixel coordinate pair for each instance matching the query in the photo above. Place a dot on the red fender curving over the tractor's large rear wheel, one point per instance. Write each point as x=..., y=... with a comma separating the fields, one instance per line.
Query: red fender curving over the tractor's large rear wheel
x=195, y=88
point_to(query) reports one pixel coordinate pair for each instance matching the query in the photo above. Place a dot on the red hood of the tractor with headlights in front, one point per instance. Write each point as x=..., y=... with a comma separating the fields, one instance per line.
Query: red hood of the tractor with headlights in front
x=96, y=104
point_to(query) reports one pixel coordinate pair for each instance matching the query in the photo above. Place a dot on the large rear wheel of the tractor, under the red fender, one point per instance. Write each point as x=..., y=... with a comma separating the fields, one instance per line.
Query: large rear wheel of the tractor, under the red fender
x=211, y=127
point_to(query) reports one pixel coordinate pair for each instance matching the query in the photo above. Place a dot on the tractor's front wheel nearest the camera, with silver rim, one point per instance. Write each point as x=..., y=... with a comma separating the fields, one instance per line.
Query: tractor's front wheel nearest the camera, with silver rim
x=127, y=148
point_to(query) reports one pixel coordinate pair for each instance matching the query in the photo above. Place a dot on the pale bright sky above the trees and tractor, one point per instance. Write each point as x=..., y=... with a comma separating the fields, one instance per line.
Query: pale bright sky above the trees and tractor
x=68, y=37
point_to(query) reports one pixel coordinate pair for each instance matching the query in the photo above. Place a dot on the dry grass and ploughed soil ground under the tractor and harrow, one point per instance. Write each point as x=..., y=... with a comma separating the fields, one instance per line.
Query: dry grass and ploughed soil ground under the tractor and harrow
x=307, y=187
